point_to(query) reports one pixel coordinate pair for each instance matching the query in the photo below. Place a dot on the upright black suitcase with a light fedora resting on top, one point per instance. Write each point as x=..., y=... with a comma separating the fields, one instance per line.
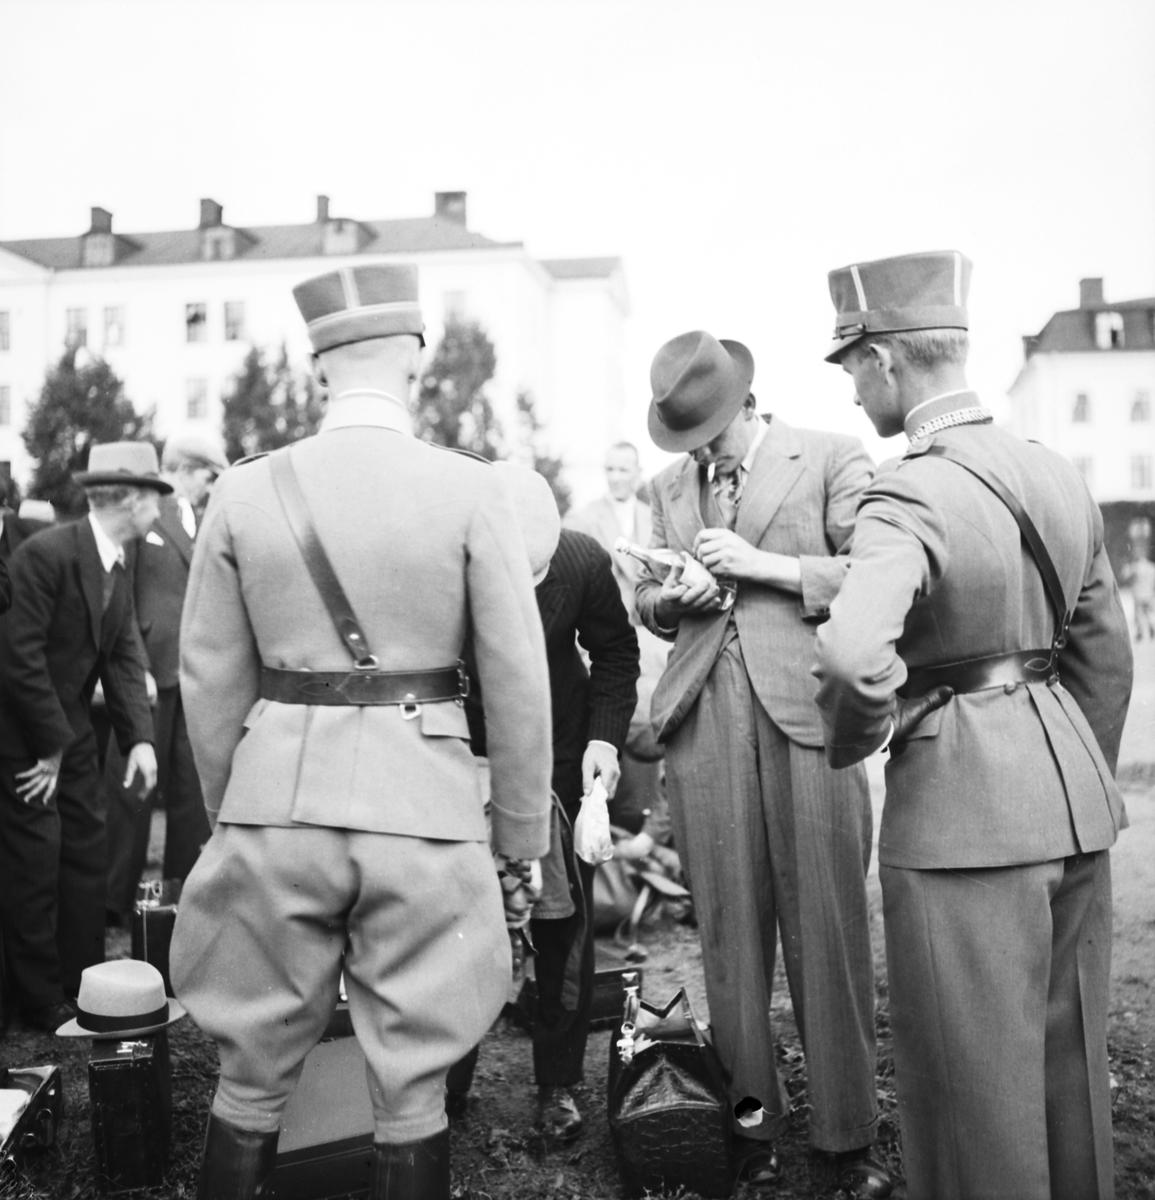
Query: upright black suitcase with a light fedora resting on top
x=131, y=1096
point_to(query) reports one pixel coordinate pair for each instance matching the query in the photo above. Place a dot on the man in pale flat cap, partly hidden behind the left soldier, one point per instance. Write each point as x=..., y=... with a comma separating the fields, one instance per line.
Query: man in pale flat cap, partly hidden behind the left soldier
x=191, y=461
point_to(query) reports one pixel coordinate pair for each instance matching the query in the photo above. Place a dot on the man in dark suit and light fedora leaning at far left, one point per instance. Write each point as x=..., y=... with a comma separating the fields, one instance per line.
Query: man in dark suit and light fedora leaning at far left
x=73, y=623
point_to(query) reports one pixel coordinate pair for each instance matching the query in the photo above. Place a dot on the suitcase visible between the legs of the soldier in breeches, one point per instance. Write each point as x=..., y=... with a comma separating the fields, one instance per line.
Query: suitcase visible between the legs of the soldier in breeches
x=326, y=1150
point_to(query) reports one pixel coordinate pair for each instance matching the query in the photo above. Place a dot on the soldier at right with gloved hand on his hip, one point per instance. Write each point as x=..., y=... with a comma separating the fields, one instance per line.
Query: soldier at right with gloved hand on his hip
x=979, y=634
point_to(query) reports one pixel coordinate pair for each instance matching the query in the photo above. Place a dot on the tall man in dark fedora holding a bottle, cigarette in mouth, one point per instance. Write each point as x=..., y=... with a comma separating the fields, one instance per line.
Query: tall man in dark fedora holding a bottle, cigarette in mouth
x=771, y=837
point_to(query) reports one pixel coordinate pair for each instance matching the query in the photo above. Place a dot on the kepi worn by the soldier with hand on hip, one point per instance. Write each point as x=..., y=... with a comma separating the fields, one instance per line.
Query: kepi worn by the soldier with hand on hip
x=896, y=296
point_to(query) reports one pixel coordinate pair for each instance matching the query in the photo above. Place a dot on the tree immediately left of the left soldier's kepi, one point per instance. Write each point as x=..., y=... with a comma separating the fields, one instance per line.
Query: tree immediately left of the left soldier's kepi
x=270, y=406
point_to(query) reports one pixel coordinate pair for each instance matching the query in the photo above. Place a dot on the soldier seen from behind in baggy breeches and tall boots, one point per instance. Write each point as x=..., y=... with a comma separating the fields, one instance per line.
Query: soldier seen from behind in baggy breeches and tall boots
x=333, y=587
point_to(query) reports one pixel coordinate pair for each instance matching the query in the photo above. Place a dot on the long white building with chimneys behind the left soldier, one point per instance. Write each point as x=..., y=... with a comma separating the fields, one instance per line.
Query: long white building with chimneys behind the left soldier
x=175, y=315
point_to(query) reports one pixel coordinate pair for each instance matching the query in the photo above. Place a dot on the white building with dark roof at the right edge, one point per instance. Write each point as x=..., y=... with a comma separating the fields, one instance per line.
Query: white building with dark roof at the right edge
x=1087, y=389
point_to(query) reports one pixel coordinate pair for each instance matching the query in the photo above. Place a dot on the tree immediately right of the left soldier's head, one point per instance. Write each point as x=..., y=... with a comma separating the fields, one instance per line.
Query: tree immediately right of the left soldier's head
x=453, y=407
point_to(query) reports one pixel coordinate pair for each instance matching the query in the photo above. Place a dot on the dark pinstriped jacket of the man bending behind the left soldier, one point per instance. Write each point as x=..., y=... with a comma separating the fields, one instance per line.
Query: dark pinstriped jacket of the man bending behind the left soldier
x=582, y=597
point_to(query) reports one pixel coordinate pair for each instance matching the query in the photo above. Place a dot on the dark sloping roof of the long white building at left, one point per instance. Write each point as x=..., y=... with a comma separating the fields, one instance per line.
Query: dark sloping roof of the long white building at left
x=410, y=236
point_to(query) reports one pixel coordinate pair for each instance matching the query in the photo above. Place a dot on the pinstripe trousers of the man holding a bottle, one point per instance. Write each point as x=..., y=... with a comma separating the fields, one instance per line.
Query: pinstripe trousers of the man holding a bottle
x=775, y=841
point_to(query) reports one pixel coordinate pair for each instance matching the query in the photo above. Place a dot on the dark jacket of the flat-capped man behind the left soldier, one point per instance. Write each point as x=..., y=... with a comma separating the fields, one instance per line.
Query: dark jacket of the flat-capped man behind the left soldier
x=160, y=572
